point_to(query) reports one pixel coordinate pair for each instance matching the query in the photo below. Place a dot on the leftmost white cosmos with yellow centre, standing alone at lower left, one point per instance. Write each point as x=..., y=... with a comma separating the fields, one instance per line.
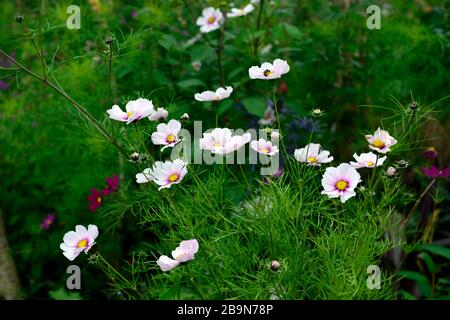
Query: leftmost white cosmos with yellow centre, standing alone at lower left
x=77, y=241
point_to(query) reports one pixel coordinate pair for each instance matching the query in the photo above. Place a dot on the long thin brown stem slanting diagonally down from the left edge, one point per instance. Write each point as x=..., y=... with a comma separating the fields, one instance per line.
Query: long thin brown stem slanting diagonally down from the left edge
x=94, y=122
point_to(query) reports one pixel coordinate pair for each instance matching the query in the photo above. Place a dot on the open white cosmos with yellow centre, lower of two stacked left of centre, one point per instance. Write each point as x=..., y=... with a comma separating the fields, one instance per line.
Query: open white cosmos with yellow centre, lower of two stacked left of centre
x=167, y=173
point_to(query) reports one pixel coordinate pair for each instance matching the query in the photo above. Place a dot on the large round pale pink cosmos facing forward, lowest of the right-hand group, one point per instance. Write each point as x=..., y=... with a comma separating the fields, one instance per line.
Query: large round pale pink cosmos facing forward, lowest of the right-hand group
x=340, y=182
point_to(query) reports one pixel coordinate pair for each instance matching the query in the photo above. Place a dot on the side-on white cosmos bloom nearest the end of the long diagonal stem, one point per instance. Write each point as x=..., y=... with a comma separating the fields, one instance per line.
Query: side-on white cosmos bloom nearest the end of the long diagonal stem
x=135, y=110
